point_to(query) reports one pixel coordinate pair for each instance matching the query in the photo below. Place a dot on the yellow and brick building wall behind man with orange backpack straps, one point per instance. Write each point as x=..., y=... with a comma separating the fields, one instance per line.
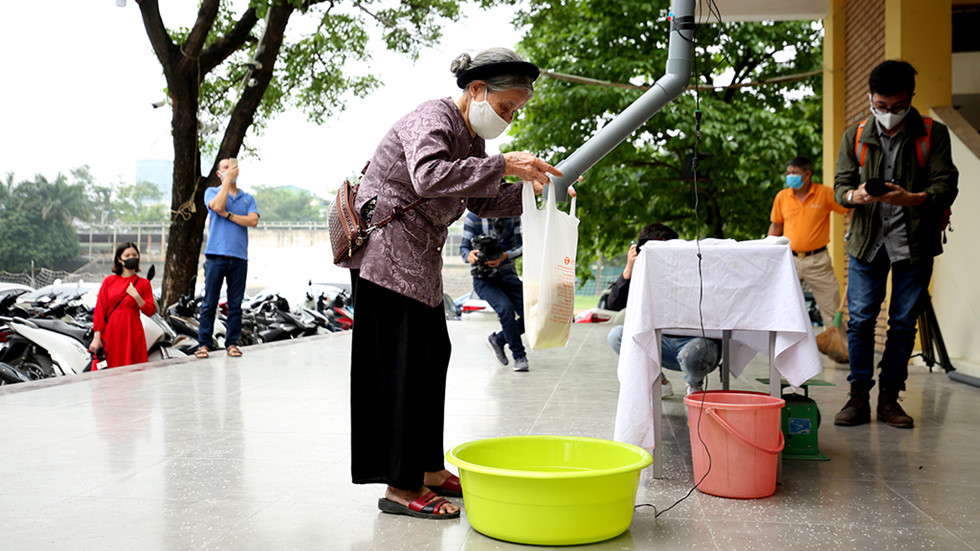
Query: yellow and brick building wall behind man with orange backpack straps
x=868, y=32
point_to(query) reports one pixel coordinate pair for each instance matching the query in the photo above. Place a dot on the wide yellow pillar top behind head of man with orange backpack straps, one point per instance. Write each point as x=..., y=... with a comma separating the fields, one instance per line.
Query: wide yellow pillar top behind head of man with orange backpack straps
x=921, y=32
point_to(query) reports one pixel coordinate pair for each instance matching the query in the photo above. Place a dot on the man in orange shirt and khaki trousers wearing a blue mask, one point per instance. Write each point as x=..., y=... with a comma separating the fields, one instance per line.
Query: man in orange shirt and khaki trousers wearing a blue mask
x=801, y=212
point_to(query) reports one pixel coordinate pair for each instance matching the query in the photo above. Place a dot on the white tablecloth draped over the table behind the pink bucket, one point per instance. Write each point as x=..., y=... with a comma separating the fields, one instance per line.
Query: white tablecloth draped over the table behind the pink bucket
x=750, y=288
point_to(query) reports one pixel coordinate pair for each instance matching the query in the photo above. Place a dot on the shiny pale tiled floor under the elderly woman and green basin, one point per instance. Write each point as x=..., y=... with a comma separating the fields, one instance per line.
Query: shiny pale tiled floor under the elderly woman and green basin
x=252, y=453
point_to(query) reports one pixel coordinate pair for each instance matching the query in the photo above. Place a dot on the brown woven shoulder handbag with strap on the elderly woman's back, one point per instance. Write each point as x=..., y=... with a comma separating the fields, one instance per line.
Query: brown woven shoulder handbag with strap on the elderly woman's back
x=348, y=232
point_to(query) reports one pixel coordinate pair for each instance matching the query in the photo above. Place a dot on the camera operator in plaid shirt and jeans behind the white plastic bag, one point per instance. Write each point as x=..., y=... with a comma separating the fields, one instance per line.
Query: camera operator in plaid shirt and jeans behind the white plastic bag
x=490, y=247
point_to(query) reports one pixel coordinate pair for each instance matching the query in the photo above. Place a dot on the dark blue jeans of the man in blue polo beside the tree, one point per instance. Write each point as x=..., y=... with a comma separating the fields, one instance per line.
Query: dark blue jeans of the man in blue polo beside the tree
x=233, y=271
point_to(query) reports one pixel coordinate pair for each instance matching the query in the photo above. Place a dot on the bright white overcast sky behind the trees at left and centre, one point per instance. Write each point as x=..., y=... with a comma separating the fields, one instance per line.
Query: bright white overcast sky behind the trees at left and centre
x=80, y=77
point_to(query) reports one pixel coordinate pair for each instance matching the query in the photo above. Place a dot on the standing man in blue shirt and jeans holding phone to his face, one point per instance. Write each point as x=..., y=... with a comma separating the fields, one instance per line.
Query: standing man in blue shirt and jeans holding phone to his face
x=230, y=213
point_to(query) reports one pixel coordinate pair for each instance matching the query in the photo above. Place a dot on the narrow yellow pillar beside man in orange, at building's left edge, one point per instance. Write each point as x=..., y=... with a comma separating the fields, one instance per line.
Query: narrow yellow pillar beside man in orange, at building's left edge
x=833, y=119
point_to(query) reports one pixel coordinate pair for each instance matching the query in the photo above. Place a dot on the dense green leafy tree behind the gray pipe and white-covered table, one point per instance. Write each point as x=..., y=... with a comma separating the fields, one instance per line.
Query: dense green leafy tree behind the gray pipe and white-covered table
x=748, y=132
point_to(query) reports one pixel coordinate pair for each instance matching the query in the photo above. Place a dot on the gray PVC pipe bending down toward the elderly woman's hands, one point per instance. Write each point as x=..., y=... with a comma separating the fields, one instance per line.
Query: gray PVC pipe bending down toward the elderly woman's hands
x=671, y=85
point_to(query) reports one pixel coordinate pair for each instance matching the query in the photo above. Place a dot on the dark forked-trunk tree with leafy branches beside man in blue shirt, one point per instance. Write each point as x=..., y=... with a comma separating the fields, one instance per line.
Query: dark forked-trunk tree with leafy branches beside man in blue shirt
x=235, y=66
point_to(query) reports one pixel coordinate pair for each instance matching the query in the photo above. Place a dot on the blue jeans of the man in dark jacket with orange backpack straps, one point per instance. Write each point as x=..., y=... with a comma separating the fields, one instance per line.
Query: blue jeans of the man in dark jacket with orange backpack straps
x=865, y=293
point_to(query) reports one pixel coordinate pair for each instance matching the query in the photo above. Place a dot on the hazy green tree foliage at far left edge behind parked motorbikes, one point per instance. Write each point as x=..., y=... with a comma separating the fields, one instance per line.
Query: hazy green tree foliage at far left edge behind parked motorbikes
x=37, y=221
